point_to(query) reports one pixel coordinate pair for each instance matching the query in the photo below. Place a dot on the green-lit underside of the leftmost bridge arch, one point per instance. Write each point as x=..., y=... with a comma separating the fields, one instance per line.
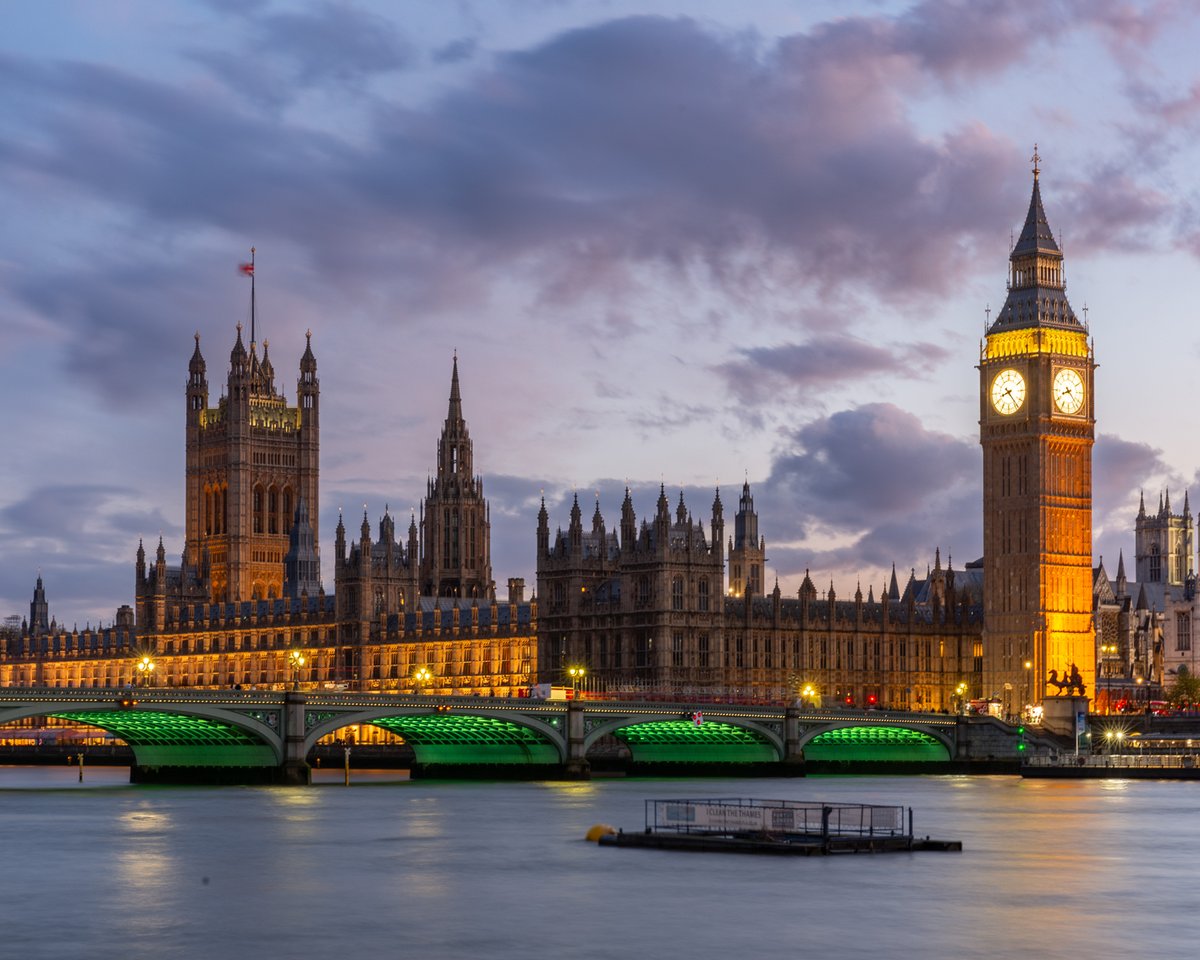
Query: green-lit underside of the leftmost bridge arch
x=171, y=740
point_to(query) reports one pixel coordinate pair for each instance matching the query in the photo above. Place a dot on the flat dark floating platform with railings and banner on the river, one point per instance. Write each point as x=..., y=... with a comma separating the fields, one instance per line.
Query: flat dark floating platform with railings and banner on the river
x=790, y=827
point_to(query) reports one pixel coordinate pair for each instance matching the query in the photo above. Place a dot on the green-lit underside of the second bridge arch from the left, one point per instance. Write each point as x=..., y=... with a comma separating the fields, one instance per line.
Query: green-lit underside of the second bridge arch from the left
x=461, y=739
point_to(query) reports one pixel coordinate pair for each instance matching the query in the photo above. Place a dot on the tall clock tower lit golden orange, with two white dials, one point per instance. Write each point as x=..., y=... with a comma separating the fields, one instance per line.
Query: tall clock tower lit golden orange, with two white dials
x=1037, y=424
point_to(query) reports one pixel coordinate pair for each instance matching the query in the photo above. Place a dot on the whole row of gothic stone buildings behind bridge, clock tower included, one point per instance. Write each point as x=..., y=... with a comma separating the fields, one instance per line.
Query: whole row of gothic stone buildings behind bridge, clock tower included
x=670, y=604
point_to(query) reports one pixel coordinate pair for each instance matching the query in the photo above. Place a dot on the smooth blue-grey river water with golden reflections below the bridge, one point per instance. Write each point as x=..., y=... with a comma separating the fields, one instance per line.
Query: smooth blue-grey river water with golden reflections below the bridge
x=454, y=869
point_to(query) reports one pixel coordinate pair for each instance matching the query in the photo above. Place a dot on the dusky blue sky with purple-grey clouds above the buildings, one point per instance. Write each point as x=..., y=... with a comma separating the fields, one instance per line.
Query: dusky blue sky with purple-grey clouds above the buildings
x=673, y=243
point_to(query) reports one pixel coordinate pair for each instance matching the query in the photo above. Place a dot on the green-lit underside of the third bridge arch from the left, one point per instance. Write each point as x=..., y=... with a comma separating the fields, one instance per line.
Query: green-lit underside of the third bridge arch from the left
x=686, y=742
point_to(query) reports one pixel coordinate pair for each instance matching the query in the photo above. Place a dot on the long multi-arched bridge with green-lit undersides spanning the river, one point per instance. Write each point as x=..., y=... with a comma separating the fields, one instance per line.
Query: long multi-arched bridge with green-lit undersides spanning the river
x=245, y=736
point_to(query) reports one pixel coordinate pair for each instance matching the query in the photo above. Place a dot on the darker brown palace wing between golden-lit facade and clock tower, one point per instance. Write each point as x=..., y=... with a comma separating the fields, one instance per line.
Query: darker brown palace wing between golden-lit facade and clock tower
x=643, y=613
